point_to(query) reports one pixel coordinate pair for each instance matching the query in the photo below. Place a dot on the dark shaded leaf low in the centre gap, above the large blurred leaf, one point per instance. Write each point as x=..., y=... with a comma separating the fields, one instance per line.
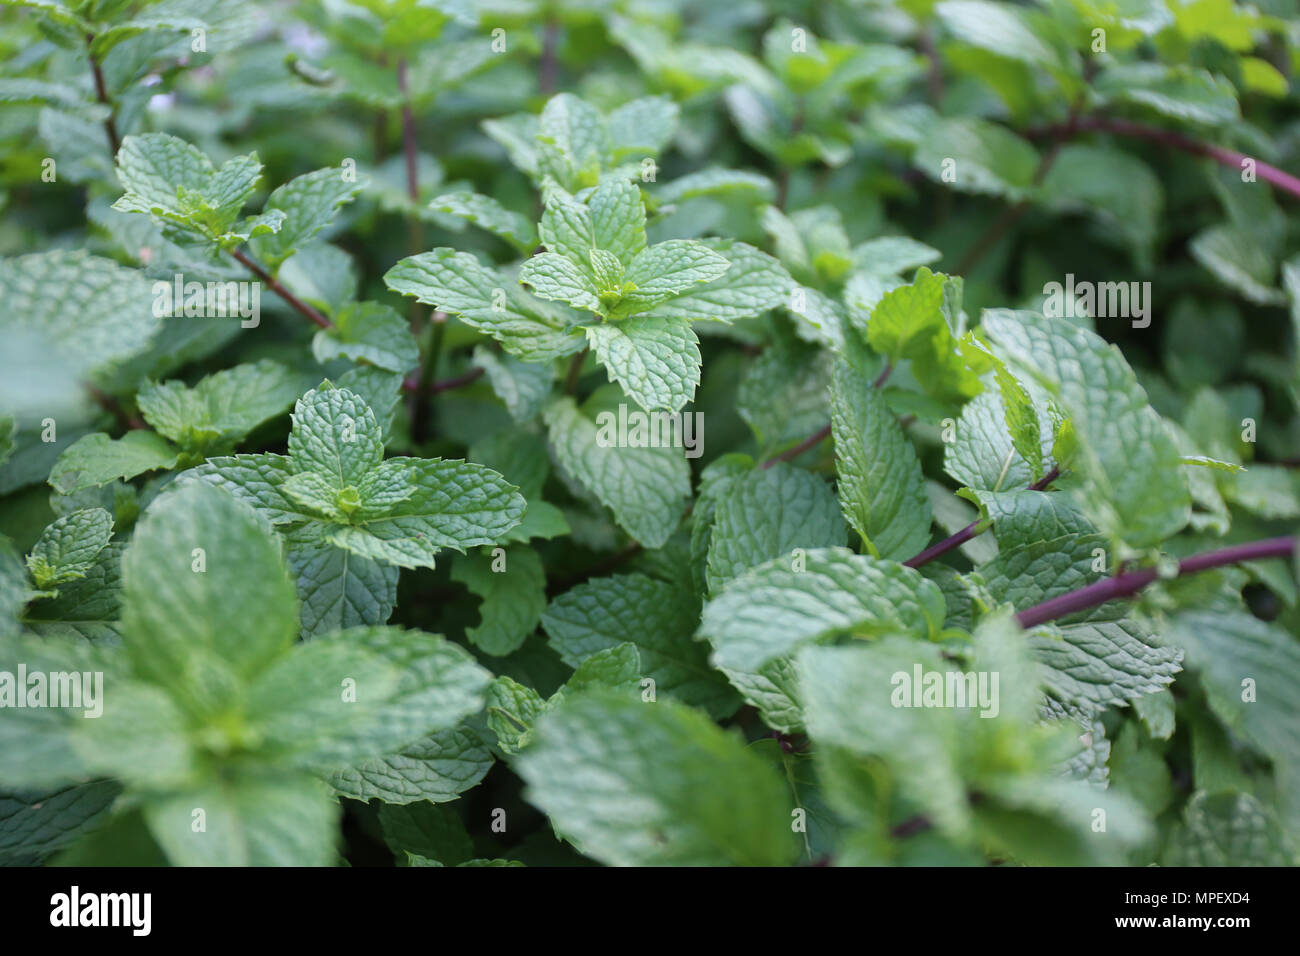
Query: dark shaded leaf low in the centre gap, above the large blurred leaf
x=660, y=618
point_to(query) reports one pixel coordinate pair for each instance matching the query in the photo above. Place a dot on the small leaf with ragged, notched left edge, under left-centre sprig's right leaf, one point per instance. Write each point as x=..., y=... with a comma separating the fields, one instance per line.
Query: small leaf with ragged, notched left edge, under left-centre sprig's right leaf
x=514, y=598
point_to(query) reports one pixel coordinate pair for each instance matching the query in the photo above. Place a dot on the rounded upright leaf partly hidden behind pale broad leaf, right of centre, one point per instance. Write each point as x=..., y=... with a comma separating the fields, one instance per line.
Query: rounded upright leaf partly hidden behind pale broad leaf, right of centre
x=768, y=514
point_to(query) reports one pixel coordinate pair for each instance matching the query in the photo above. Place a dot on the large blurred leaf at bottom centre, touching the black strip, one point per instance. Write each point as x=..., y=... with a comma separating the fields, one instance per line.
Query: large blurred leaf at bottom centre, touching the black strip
x=701, y=797
